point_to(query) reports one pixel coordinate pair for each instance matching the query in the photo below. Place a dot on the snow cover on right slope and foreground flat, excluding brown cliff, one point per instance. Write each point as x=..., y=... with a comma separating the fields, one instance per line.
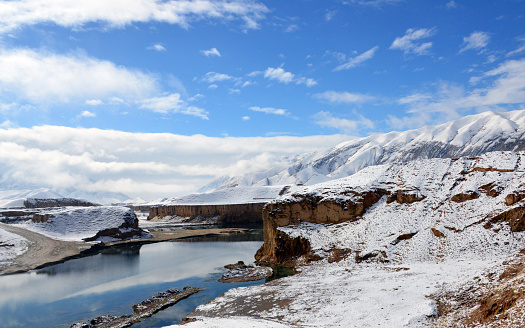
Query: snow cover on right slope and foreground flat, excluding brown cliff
x=416, y=249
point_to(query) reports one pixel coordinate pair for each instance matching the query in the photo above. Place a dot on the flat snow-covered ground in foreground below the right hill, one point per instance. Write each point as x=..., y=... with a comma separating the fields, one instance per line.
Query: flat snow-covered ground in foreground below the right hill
x=342, y=295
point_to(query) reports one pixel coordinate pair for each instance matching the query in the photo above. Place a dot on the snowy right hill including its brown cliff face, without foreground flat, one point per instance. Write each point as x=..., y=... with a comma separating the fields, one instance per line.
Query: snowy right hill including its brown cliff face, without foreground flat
x=419, y=210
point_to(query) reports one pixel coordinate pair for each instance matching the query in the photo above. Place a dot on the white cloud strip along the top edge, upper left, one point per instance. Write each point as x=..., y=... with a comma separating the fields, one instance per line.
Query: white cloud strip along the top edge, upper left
x=75, y=14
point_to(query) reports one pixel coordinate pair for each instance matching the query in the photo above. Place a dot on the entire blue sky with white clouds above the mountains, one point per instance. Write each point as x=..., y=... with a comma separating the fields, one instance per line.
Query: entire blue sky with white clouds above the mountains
x=157, y=98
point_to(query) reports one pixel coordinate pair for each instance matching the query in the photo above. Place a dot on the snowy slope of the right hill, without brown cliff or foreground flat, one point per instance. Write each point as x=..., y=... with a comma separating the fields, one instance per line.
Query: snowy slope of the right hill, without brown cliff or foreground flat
x=450, y=216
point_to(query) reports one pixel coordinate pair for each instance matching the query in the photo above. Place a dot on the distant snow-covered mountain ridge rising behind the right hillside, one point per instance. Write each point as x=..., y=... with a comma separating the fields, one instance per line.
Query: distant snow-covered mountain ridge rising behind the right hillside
x=469, y=136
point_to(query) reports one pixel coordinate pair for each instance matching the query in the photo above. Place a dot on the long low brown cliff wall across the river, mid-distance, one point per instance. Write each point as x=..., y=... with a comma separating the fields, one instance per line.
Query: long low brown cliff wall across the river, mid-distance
x=228, y=213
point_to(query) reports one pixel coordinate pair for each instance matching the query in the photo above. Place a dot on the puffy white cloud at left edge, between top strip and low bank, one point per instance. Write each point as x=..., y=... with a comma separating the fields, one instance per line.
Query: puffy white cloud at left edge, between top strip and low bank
x=52, y=78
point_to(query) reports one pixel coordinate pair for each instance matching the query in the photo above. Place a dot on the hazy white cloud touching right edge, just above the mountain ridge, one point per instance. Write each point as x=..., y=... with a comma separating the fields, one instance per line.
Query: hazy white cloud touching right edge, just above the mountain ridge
x=504, y=88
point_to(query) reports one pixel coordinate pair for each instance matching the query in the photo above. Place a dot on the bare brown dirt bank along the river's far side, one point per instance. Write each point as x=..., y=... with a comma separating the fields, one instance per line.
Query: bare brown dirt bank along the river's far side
x=44, y=251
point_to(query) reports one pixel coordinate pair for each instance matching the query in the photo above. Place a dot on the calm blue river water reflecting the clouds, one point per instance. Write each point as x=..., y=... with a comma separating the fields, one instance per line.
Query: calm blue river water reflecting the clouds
x=111, y=281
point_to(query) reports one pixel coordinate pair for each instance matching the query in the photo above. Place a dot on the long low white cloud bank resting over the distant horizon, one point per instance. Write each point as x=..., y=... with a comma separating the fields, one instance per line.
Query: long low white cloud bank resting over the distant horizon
x=137, y=164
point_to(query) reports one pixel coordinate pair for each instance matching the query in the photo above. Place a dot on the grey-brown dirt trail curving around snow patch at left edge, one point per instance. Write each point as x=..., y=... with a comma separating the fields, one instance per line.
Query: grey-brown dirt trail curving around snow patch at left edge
x=41, y=250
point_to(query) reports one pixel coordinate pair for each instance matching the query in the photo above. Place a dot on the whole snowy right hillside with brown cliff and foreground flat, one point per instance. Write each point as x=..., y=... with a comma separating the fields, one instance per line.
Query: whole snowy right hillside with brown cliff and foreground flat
x=389, y=246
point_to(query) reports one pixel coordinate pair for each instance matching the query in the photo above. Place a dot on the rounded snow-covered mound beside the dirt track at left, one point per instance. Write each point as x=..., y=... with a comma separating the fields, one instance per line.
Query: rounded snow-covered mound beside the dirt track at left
x=77, y=223
